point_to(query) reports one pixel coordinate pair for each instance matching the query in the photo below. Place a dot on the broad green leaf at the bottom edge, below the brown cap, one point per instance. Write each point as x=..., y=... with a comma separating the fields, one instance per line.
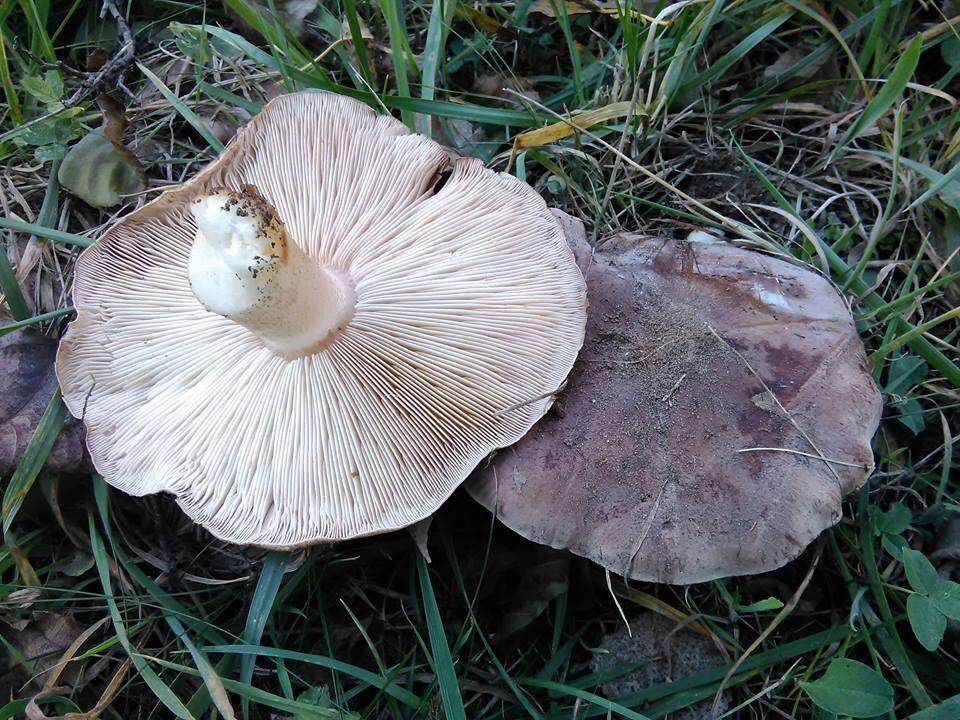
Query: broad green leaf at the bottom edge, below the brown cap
x=851, y=688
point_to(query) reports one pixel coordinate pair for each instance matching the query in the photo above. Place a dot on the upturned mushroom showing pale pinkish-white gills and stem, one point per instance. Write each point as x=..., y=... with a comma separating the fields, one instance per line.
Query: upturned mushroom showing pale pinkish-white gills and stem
x=321, y=334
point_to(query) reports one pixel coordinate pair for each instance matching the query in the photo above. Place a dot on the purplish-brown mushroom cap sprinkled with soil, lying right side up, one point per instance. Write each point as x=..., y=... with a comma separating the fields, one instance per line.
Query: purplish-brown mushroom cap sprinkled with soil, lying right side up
x=719, y=411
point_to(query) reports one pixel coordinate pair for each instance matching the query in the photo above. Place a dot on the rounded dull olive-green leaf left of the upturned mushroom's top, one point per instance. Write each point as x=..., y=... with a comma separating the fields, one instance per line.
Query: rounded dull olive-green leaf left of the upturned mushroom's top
x=100, y=173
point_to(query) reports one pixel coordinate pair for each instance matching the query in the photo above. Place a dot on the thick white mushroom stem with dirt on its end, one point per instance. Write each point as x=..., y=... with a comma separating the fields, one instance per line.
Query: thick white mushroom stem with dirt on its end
x=243, y=267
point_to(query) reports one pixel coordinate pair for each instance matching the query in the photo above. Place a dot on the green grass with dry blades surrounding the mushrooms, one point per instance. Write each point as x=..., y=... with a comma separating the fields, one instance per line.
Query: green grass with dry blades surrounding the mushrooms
x=827, y=132
